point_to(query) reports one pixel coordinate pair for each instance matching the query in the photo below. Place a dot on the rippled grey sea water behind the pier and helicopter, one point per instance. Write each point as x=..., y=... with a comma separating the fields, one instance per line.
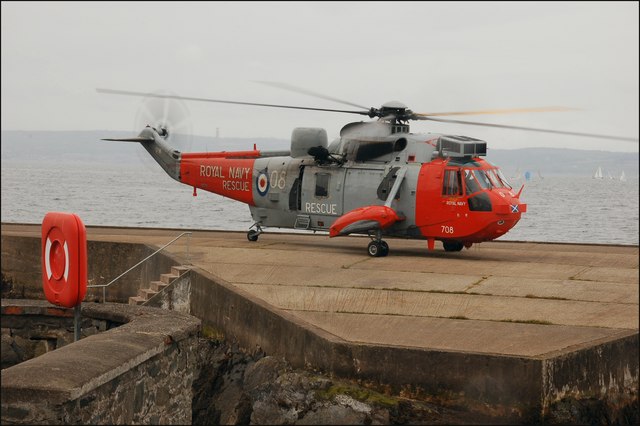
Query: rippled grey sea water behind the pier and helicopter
x=568, y=209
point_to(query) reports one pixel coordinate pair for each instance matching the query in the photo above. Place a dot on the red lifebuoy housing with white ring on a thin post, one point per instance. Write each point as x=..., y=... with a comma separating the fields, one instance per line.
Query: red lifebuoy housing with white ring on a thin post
x=64, y=261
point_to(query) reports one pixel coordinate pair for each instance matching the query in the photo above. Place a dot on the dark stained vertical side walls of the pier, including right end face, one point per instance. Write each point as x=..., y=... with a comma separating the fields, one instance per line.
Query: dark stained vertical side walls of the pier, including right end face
x=515, y=388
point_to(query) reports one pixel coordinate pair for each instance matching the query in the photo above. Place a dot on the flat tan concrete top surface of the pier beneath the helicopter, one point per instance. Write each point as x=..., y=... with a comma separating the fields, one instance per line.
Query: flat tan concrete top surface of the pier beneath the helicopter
x=316, y=278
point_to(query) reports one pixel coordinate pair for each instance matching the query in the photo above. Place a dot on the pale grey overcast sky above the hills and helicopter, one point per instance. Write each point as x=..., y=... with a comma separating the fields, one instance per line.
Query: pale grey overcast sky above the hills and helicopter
x=432, y=56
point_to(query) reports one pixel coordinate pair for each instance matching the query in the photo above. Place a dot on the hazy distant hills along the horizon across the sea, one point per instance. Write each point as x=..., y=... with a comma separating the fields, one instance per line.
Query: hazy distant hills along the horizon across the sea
x=86, y=147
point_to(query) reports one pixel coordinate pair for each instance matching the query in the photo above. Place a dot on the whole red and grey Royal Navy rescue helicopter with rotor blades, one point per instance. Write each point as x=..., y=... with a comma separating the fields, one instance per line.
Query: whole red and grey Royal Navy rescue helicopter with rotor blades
x=377, y=178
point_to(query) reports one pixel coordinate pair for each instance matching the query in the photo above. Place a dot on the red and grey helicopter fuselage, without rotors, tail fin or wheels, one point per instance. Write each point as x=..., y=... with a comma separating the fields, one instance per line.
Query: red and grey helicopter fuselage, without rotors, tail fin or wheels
x=438, y=197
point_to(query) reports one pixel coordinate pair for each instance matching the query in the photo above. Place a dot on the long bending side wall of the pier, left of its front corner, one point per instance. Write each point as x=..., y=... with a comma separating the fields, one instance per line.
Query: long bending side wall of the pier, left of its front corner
x=469, y=379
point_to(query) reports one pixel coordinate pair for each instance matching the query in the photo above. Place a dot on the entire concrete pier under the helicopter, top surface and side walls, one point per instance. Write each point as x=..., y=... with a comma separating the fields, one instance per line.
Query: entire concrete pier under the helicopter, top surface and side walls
x=470, y=321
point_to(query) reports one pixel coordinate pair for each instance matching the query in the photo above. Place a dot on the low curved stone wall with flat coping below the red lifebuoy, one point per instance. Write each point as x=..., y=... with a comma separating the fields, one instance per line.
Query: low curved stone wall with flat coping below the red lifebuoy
x=141, y=372
